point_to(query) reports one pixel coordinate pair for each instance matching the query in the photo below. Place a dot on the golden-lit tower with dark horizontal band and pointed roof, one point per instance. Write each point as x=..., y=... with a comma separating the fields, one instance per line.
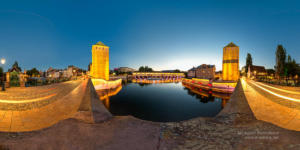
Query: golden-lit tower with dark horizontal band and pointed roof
x=231, y=70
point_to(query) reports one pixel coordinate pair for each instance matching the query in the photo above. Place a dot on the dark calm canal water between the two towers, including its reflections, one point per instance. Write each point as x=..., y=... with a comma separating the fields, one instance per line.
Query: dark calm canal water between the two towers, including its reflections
x=162, y=102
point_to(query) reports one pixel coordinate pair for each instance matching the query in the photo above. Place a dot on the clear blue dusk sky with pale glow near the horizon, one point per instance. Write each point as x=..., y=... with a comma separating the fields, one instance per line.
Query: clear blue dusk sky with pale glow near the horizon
x=164, y=34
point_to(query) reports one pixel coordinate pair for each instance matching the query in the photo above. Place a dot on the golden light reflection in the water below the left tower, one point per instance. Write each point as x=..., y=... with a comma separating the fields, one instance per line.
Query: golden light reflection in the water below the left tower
x=106, y=93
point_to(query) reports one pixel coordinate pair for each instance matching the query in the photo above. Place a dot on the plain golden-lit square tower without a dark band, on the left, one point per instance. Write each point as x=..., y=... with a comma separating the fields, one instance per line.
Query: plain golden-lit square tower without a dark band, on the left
x=100, y=61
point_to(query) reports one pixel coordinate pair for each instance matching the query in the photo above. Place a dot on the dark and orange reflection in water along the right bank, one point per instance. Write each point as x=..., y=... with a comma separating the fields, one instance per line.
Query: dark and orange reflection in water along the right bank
x=206, y=96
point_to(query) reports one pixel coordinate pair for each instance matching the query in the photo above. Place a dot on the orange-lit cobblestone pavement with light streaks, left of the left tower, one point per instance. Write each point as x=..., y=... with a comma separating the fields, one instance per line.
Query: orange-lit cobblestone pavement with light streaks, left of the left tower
x=51, y=104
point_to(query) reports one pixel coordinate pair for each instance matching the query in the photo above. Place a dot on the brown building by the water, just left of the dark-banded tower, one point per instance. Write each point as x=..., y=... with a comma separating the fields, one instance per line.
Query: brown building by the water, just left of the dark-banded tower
x=206, y=71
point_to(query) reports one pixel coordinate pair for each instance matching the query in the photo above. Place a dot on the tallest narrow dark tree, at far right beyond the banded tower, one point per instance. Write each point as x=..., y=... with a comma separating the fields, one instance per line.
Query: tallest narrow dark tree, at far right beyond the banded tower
x=280, y=61
